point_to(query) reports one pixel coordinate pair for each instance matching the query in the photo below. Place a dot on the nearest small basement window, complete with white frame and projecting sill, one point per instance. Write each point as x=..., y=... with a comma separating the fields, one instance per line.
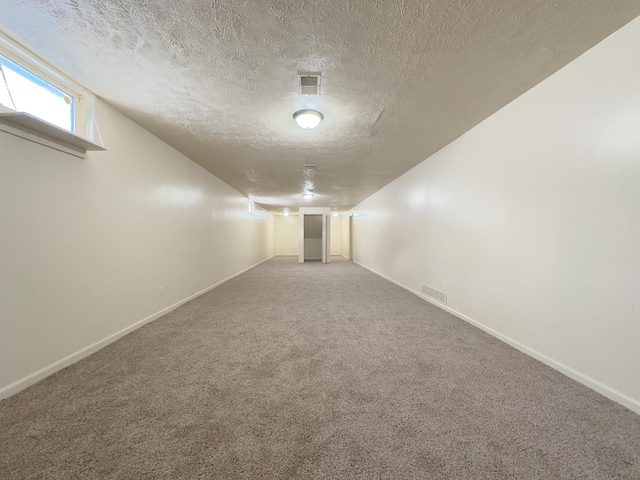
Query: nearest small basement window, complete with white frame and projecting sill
x=41, y=105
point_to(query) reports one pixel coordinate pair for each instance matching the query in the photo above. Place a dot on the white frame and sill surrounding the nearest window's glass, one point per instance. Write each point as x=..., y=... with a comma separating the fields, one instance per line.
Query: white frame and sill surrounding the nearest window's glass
x=83, y=138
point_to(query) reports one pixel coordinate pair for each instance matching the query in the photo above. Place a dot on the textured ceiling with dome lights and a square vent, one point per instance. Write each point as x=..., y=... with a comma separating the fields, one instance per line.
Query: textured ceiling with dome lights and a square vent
x=217, y=80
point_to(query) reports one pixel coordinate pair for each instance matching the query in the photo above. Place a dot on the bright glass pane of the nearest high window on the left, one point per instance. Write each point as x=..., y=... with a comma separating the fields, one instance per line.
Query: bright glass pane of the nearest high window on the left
x=24, y=91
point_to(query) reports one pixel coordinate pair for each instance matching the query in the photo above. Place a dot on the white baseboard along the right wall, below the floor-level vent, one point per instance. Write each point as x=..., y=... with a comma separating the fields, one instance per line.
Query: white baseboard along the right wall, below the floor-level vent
x=616, y=396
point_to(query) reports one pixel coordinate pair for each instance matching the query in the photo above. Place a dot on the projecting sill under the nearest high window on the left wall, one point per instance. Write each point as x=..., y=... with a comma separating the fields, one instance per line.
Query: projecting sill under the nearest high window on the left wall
x=35, y=130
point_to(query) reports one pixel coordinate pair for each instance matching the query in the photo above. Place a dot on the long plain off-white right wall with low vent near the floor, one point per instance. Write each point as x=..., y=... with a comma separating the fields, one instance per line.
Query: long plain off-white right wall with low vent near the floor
x=532, y=220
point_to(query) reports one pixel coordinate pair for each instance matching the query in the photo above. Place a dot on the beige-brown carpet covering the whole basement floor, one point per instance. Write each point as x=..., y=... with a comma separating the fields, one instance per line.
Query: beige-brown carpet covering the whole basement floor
x=313, y=371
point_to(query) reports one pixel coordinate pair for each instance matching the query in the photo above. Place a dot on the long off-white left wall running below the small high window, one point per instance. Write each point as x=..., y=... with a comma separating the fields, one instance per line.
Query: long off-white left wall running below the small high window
x=87, y=244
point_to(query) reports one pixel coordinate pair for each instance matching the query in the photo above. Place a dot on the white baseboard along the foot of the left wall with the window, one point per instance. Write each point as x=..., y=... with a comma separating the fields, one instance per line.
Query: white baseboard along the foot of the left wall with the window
x=21, y=384
